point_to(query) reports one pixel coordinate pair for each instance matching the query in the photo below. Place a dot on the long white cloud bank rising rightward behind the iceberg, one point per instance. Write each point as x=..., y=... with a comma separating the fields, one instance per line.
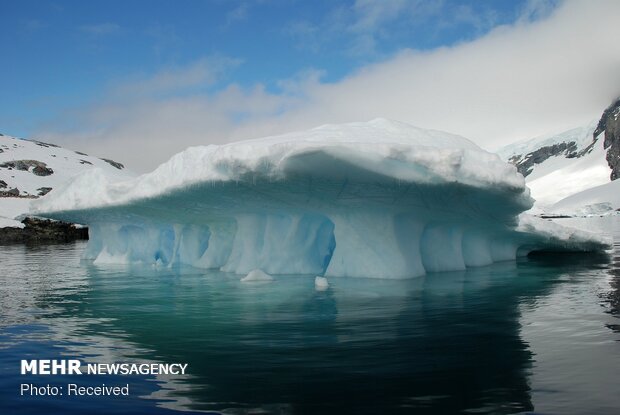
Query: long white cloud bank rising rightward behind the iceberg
x=515, y=82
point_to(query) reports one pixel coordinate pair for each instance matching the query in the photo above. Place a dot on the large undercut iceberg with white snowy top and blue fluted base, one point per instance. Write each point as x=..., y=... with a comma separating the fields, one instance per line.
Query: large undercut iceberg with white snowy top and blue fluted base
x=379, y=199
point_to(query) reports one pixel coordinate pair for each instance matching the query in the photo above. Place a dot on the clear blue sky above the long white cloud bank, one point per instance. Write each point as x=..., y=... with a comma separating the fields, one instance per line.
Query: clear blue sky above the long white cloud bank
x=61, y=54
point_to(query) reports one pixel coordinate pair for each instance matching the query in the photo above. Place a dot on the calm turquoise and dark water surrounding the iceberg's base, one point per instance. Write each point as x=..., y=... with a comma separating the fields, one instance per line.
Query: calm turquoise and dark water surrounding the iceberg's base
x=537, y=336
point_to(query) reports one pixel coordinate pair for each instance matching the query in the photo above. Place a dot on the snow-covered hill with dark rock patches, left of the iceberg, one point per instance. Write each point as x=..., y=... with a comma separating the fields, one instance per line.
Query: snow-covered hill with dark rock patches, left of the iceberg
x=30, y=169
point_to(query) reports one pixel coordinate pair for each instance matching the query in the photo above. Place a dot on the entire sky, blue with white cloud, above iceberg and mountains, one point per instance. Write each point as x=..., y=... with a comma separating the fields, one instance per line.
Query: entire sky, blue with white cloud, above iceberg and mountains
x=138, y=81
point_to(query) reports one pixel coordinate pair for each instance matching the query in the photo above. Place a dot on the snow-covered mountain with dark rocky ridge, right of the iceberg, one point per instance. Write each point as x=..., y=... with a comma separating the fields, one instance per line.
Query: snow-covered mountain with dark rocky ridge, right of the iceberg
x=560, y=166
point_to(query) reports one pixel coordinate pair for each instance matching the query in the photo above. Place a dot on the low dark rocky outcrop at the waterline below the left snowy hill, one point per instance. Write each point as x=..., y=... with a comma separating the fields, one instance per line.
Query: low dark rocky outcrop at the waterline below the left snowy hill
x=43, y=231
